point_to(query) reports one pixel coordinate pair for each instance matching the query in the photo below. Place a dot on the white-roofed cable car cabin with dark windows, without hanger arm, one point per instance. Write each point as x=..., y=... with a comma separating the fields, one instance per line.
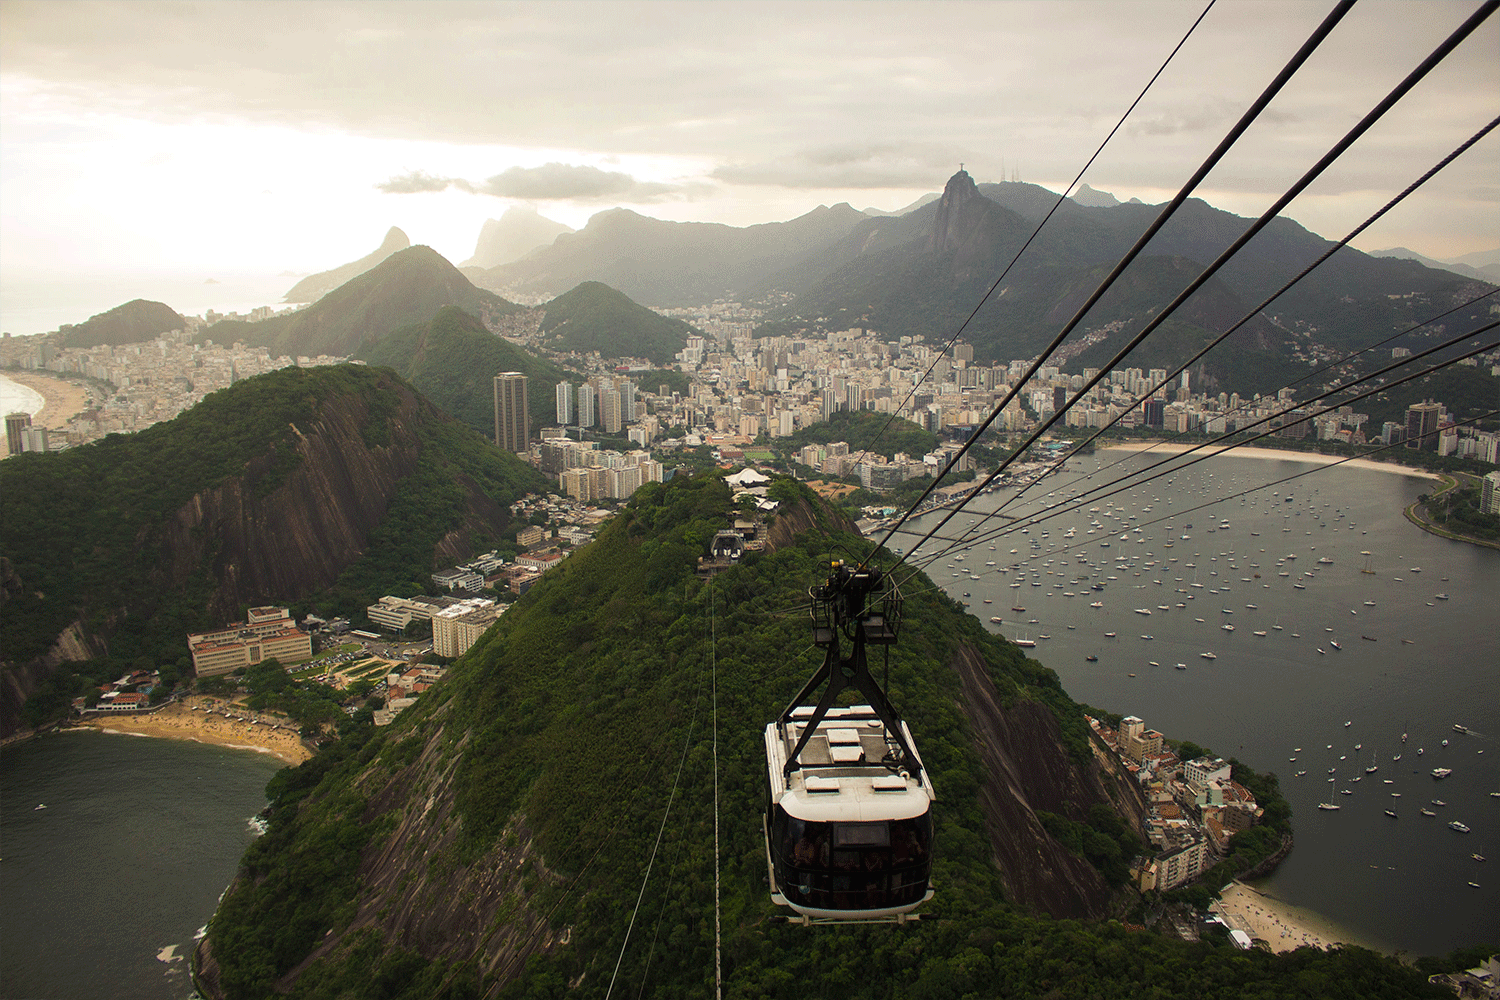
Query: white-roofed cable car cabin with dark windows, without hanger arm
x=848, y=839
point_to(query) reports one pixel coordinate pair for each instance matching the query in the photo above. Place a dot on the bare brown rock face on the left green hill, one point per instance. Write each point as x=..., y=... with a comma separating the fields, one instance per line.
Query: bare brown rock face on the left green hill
x=257, y=543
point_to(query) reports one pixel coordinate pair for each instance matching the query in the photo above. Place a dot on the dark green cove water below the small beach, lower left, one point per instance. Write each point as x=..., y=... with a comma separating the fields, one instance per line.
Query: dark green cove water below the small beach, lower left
x=106, y=890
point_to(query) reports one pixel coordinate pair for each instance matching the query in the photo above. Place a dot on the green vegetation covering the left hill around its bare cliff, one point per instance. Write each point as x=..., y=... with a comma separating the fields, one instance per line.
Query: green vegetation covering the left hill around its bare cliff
x=85, y=528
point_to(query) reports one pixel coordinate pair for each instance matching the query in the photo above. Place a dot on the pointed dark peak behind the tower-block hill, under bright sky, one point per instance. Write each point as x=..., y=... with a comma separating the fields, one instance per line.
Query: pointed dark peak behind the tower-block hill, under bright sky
x=404, y=290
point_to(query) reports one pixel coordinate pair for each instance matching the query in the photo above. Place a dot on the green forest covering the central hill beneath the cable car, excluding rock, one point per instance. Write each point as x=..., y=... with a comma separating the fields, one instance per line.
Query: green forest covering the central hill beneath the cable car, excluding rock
x=575, y=714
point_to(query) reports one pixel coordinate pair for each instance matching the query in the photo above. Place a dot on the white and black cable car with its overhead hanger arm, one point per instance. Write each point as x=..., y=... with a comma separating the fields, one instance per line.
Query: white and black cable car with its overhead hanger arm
x=848, y=813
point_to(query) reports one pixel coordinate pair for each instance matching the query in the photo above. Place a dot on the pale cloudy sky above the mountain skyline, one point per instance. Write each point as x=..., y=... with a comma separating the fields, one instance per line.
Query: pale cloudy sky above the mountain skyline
x=257, y=139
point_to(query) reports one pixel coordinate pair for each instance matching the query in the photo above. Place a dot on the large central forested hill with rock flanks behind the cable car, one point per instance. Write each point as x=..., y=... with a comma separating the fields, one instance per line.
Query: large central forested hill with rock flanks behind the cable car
x=499, y=839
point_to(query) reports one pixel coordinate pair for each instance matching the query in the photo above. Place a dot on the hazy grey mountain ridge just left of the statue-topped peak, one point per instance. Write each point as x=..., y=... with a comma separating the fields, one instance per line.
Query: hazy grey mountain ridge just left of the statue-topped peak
x=677, y=263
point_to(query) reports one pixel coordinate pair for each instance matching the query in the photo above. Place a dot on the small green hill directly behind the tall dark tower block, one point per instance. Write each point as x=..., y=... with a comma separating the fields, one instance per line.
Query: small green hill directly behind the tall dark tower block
x=454, y=361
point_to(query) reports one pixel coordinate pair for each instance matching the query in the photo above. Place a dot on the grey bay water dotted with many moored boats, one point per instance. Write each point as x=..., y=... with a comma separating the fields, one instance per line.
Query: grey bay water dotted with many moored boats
x=1396, y=884
